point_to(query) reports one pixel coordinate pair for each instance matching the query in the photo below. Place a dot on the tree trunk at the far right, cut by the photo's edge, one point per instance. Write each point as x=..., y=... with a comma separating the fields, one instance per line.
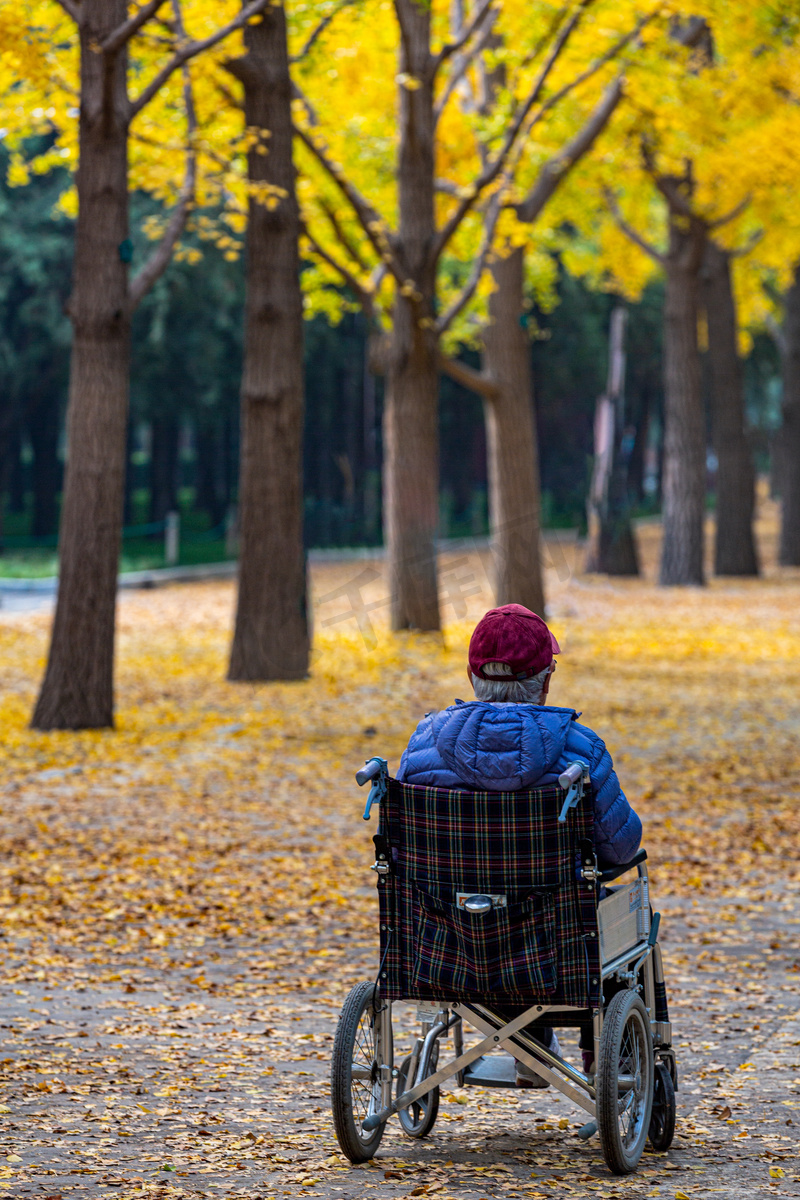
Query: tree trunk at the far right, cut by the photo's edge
x=790, y=548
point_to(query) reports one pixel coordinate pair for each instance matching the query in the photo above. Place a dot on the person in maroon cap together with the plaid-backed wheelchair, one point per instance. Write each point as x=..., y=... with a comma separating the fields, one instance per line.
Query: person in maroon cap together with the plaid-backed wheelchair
x=495, y=844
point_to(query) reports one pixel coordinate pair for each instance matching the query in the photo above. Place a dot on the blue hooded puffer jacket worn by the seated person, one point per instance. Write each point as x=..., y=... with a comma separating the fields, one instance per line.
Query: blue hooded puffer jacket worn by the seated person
x=504, y=748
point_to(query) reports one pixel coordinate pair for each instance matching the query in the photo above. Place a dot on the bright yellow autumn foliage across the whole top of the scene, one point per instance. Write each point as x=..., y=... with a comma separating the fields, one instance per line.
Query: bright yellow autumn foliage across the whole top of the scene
x=737, y=119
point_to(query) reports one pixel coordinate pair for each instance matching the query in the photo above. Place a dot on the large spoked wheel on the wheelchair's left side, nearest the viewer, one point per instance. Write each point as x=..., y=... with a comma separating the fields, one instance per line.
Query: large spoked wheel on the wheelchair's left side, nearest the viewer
x=356, y=1079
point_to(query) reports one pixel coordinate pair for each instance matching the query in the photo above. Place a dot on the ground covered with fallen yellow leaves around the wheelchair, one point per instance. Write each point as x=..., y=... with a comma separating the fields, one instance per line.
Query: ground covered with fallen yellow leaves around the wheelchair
x=187, y=901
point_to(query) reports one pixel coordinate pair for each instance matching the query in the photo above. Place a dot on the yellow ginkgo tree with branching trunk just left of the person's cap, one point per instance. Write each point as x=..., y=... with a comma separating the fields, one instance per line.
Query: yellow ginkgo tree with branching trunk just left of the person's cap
x=414, y=238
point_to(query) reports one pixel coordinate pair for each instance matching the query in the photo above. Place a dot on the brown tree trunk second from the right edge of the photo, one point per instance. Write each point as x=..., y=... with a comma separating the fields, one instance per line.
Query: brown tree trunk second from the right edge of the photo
x=736, y=547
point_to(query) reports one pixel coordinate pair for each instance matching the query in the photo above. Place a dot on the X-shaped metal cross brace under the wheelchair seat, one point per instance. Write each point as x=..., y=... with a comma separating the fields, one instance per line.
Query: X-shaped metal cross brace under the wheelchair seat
x=500, y=1035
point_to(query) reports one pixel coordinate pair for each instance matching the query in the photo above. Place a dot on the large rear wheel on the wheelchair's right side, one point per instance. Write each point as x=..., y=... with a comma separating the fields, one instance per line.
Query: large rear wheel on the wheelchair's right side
x=624, y=1083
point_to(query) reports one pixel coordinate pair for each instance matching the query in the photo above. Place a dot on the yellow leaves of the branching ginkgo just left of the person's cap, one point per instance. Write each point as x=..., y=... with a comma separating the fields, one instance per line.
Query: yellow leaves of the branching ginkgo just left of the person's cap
x=353, y=112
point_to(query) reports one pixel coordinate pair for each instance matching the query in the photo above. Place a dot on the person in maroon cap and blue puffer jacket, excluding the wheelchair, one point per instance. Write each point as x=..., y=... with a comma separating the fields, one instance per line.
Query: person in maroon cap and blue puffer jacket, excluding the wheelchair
x=507, y=740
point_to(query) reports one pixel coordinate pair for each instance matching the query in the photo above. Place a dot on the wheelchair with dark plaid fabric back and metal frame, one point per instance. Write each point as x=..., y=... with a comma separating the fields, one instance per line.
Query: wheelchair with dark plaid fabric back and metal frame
x=494, y=913
